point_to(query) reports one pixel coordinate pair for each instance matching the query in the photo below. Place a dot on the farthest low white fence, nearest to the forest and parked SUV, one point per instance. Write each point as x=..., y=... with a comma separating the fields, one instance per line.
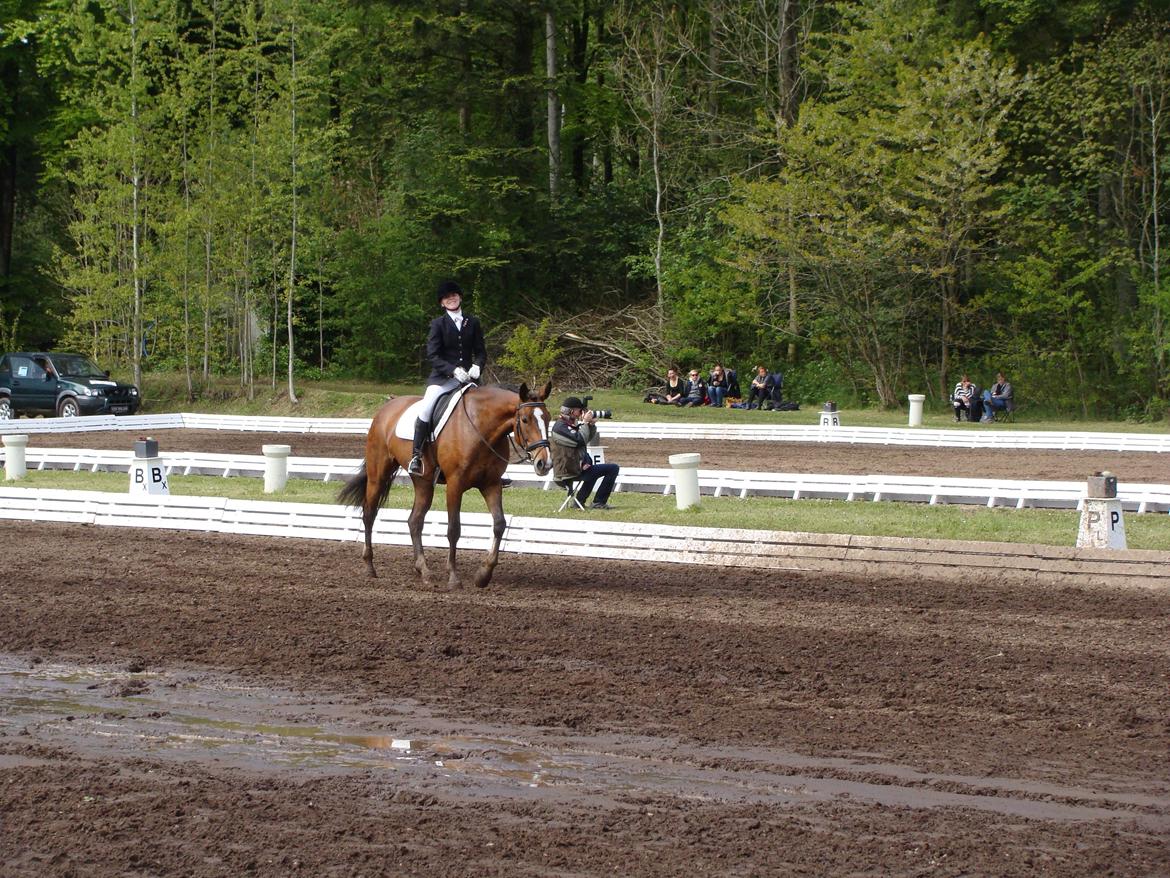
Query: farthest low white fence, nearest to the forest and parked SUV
x=969, y=437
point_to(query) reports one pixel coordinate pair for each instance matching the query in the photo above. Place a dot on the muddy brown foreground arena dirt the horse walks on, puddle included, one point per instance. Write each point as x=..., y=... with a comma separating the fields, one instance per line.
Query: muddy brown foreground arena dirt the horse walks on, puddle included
x=183, y=704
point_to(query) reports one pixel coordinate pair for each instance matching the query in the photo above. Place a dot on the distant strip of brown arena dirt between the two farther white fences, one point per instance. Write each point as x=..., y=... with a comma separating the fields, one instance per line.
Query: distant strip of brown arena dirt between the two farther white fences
x=742, y=456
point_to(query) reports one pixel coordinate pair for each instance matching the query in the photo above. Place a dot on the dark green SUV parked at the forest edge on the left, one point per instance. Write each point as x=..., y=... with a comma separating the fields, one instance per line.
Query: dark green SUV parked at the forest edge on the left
x=64, y=385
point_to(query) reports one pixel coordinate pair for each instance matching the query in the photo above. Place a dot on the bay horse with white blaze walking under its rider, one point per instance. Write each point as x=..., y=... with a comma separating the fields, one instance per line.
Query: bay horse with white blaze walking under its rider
x=473, y=451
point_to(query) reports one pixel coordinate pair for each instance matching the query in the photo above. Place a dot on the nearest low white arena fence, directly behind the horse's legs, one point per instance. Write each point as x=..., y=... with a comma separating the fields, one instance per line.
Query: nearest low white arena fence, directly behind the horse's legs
x=597, y=538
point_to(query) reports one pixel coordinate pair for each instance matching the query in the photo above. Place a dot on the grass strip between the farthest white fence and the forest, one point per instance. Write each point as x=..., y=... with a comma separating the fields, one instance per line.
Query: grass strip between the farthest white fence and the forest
x=352, y=399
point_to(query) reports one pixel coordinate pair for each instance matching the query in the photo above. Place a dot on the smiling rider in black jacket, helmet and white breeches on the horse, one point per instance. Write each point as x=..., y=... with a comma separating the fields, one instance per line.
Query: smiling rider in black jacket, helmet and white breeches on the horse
x=458, y=355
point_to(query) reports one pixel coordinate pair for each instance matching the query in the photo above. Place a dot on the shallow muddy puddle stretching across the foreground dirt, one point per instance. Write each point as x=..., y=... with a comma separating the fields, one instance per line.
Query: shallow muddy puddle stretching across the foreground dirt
x=191, y=716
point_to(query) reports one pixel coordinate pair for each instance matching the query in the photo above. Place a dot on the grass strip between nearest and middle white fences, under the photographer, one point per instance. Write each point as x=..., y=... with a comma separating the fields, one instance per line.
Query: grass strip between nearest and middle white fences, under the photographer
x=1048, y=527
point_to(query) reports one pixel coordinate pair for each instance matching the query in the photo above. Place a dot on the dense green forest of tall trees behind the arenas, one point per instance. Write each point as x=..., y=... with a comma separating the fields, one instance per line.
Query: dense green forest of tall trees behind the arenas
x=872, y=196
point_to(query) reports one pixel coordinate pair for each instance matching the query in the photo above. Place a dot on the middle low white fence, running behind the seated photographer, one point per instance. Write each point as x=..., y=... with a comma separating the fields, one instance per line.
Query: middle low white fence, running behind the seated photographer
x=713, y=483
